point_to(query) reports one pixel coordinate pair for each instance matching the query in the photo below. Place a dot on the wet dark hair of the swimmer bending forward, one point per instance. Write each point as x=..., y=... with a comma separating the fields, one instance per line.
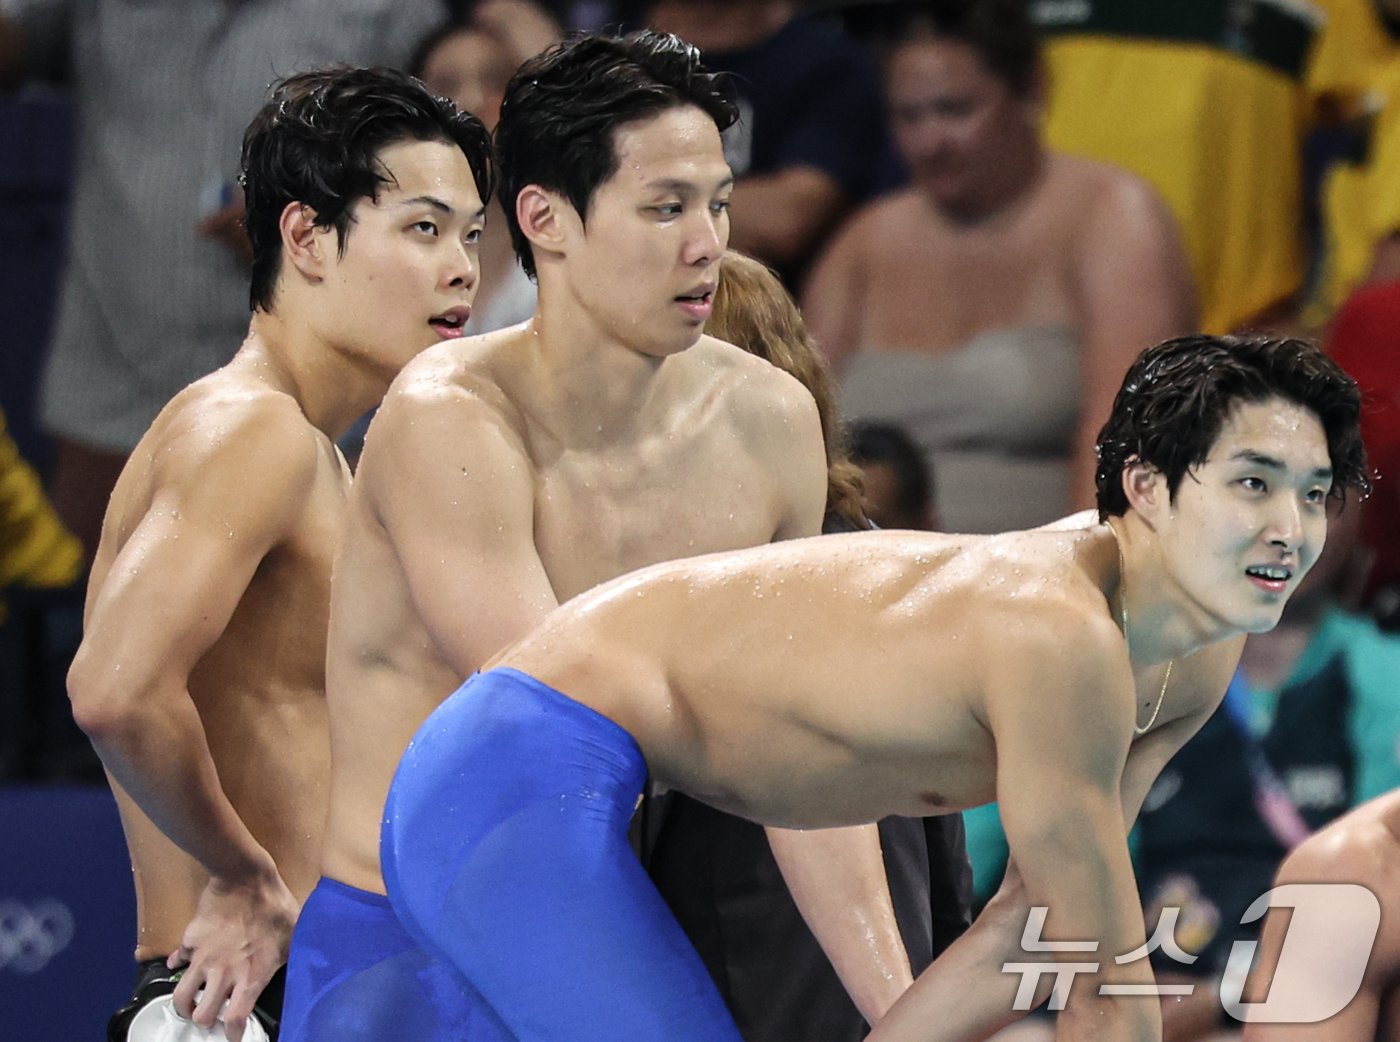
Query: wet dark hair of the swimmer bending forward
x=1178, y=396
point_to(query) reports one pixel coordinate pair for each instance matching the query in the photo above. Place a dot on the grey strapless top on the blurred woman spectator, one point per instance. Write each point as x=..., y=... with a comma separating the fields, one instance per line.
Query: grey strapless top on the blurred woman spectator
x=996, y=418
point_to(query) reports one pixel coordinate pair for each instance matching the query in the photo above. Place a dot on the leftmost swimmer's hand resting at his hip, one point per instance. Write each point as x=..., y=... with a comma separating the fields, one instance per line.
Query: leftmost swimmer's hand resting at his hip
x=233, y=946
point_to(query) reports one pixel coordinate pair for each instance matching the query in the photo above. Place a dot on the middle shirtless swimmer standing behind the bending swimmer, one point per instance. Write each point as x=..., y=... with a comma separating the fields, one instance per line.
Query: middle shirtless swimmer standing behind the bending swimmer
x=509, y=473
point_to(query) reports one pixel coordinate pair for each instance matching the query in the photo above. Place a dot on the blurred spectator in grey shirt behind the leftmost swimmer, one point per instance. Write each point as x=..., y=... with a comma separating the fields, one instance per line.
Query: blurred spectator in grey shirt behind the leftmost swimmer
x=156, y=284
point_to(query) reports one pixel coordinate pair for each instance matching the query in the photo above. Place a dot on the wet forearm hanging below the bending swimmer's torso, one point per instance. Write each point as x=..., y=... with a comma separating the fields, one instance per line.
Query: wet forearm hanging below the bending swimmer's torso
x=838, y=880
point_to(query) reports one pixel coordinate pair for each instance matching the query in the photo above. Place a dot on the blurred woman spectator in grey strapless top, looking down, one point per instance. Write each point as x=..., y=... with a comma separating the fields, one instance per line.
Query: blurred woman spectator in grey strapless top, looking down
x=993, y=306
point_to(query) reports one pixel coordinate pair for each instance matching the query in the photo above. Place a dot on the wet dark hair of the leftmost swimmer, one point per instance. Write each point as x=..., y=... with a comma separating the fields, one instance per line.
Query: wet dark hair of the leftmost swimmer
x=318, y=142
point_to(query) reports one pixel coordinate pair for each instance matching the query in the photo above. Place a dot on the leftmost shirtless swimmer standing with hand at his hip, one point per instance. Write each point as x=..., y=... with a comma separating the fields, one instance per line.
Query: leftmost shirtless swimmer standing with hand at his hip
x=201, y=677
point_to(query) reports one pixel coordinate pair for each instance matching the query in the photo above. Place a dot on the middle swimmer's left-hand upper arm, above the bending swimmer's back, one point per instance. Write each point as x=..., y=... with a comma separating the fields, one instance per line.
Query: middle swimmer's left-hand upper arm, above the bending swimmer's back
x=454, y=491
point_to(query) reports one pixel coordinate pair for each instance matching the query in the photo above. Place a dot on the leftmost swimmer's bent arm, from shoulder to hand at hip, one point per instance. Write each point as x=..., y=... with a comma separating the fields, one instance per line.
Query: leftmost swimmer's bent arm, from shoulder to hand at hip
x=162, y=604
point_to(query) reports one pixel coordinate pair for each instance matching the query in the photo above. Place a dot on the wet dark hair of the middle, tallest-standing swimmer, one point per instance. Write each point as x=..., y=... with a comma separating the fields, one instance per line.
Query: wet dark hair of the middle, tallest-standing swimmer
x=563, y=106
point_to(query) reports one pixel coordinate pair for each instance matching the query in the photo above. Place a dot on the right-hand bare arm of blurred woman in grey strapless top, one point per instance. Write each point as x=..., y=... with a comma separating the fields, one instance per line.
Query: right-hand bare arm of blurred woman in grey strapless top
x=1136, y=291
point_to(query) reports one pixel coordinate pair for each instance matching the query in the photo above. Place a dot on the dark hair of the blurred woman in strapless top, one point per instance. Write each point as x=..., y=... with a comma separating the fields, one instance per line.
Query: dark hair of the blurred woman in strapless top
x=1000, y=32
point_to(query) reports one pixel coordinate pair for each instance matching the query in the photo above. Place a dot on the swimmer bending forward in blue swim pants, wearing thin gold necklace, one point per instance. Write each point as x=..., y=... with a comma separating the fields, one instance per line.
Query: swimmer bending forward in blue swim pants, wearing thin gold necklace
x=834, y=681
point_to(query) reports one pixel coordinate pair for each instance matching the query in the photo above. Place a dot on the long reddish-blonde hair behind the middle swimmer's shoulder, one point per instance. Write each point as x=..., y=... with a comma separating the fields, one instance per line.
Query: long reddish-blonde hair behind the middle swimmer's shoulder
x=752, y=310
